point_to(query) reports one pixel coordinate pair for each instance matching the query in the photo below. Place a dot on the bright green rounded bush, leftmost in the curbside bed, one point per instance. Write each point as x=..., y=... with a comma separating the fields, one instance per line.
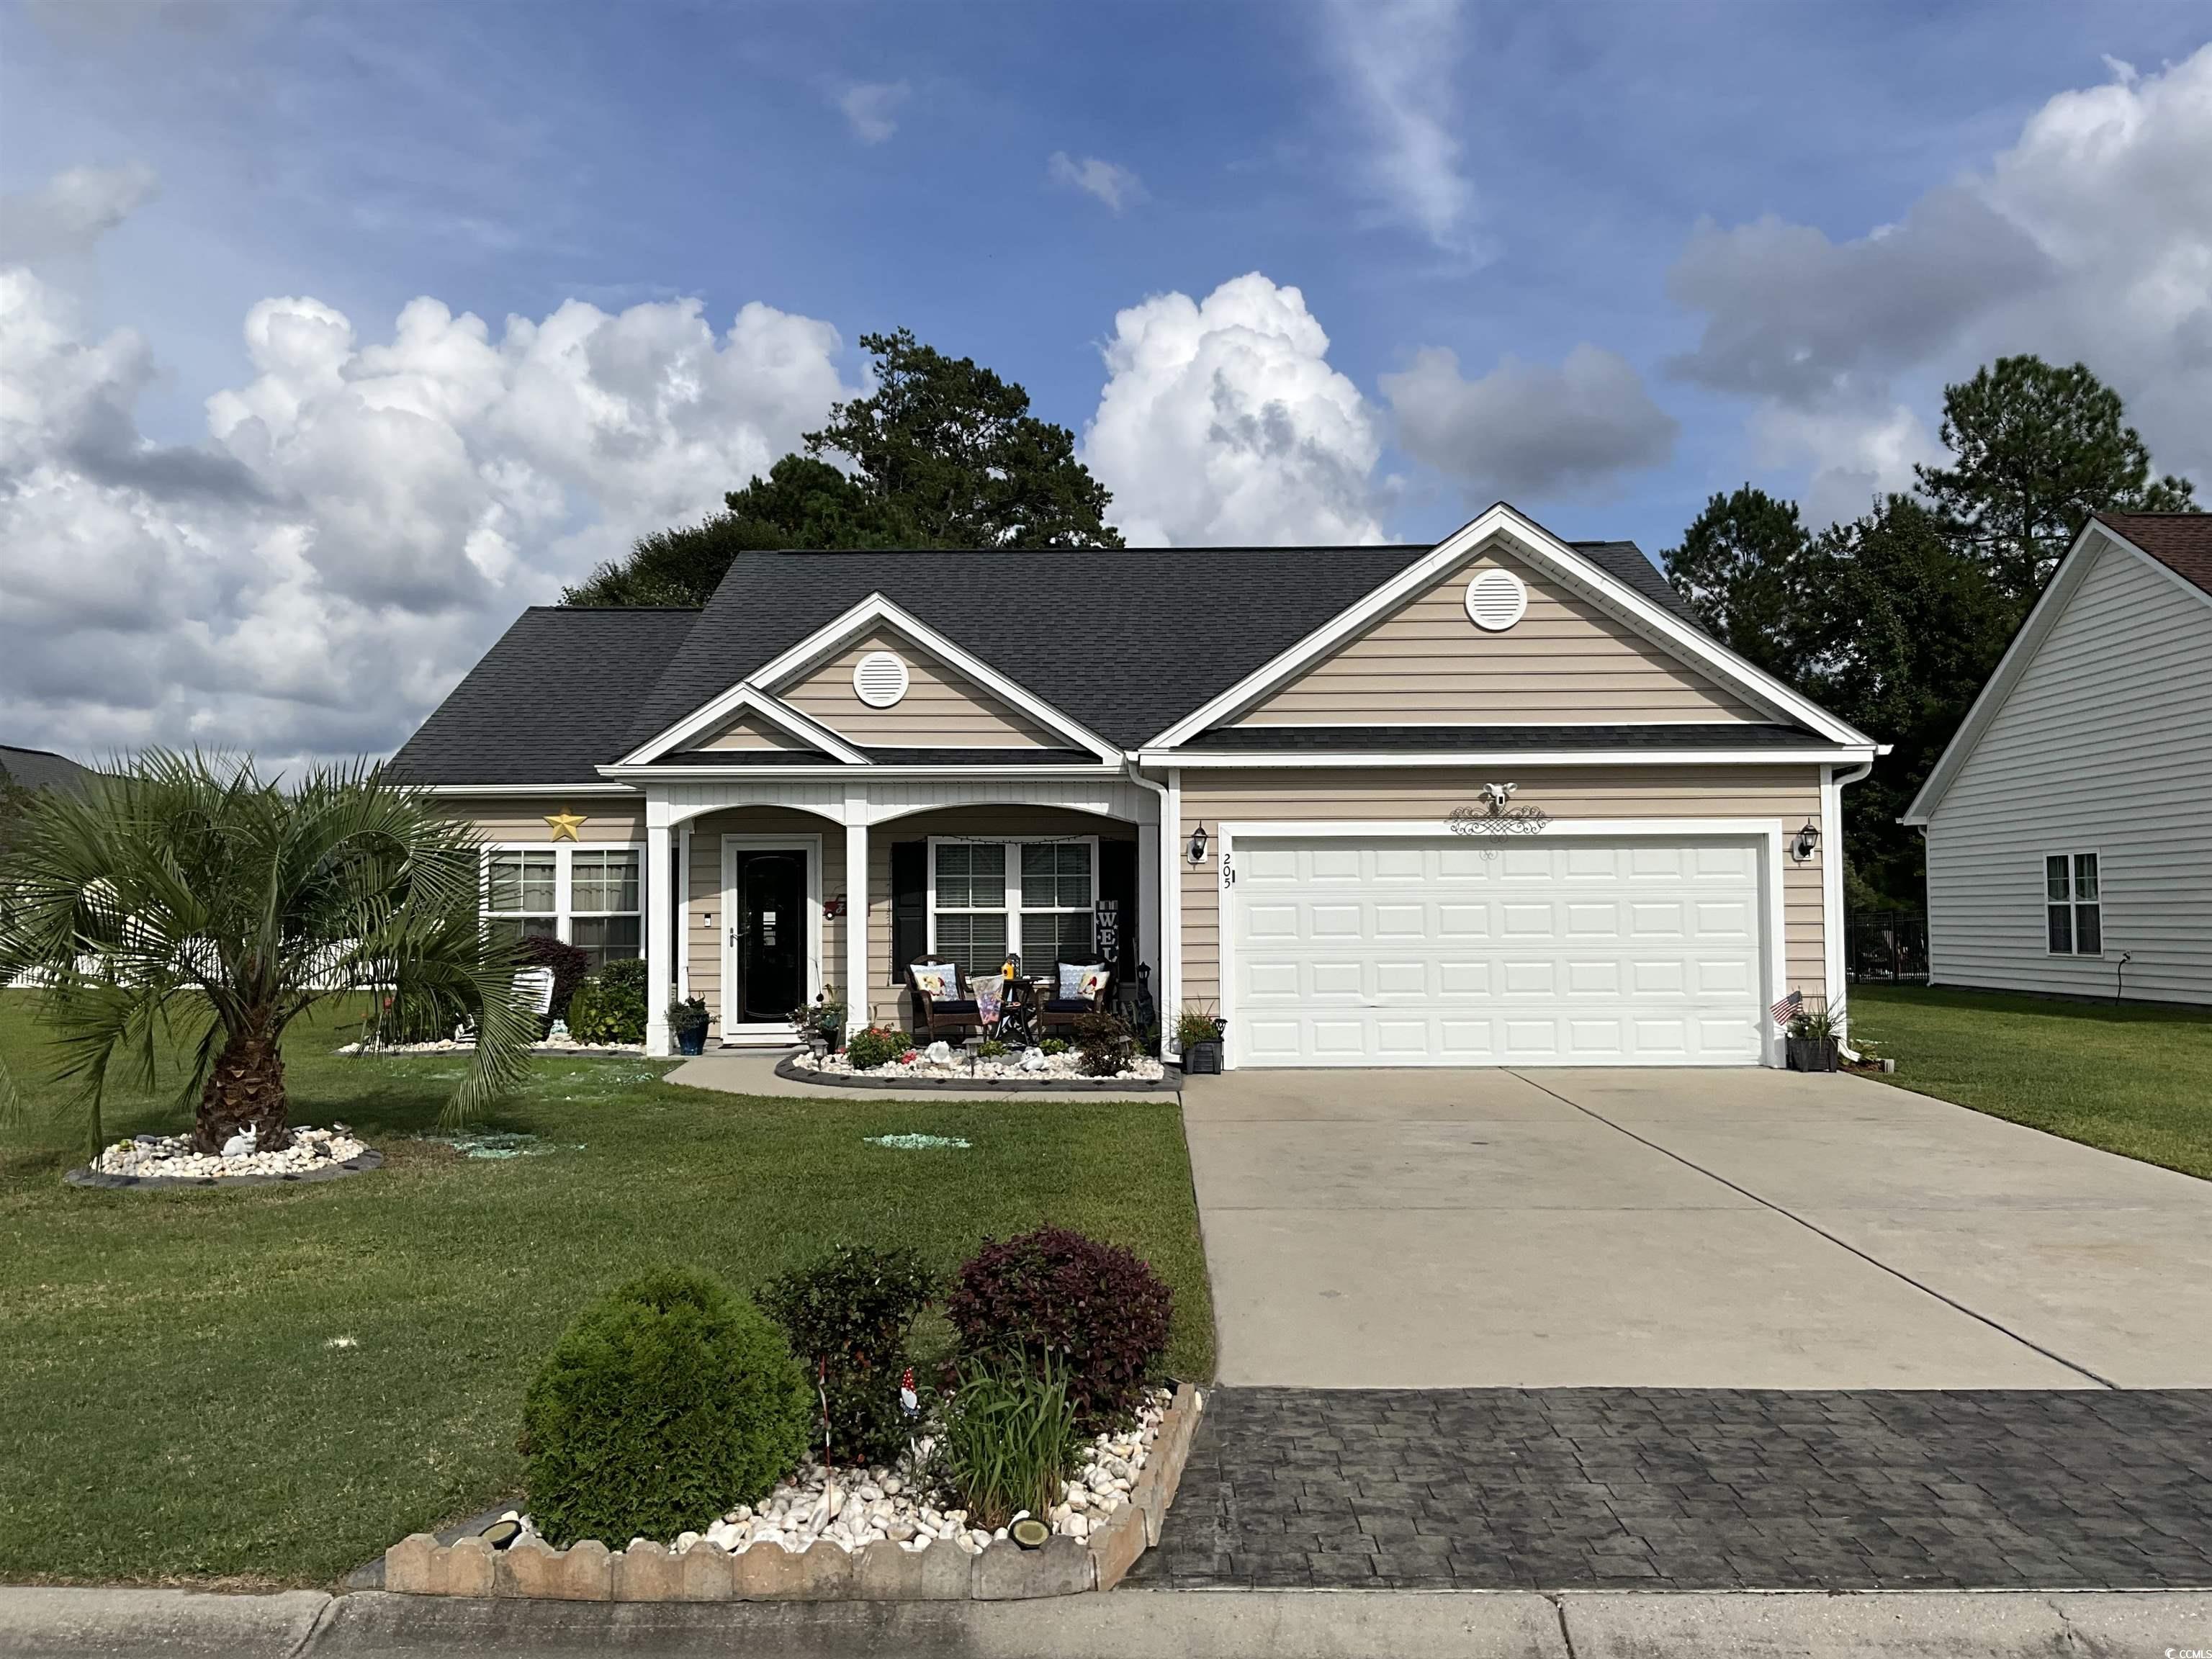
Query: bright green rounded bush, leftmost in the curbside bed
x=662, y=1406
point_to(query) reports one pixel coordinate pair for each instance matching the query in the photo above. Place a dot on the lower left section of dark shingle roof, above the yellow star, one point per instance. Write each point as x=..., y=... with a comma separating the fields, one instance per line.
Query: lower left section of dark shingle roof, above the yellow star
x=550, y=702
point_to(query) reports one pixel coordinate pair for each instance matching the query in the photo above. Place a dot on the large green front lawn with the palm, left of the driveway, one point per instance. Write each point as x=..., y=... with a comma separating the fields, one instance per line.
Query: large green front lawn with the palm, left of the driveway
x=174, y=1399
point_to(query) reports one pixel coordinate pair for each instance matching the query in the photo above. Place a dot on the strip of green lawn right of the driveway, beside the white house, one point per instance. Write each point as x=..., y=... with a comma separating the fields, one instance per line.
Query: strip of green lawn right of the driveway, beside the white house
x=2127, y=1078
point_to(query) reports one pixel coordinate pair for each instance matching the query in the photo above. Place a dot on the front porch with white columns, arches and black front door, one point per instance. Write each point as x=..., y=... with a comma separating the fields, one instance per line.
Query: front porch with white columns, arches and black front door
x=789, y=886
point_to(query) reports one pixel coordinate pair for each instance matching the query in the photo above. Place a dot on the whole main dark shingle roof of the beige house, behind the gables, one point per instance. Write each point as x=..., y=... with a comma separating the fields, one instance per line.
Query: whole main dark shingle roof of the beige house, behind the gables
x=1123, y=640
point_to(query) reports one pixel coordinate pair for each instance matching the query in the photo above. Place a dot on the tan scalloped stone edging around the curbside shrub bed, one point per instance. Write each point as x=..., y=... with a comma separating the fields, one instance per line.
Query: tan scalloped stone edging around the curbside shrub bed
x=881, y=1572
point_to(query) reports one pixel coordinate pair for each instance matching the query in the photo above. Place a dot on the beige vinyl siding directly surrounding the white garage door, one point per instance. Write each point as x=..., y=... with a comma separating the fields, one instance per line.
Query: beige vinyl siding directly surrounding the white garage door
x=1780, y=793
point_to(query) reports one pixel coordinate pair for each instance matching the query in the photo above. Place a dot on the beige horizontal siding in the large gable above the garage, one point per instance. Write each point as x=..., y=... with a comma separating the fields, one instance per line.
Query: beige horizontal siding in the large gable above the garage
x=1565, y=662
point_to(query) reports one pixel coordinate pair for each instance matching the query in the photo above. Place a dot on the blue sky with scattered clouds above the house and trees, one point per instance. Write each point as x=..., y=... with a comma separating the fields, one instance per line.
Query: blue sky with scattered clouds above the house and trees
x=1494, y=182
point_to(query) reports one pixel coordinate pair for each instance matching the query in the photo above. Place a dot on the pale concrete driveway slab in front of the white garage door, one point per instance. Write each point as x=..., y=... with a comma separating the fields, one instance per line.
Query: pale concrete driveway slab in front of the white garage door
x=1682, y=1229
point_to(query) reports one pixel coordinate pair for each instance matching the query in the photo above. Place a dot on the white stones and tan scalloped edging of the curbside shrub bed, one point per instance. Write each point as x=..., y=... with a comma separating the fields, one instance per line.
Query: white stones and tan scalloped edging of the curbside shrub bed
x=844, y=1534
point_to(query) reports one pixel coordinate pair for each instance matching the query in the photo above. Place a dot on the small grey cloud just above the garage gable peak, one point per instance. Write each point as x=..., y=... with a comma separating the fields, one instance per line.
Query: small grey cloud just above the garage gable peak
x=1530, y=430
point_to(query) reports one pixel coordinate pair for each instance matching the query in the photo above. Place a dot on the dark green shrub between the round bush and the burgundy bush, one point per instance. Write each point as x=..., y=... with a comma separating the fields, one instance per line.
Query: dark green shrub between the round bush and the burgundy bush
x=848, y=1317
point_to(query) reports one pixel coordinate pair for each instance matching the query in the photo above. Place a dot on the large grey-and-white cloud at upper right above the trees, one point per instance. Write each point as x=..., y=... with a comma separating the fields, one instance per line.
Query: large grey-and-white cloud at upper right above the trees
x=2087, y=240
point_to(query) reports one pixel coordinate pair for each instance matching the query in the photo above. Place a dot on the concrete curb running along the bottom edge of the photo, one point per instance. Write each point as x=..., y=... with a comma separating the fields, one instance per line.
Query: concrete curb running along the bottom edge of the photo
x=1127, y=1625
